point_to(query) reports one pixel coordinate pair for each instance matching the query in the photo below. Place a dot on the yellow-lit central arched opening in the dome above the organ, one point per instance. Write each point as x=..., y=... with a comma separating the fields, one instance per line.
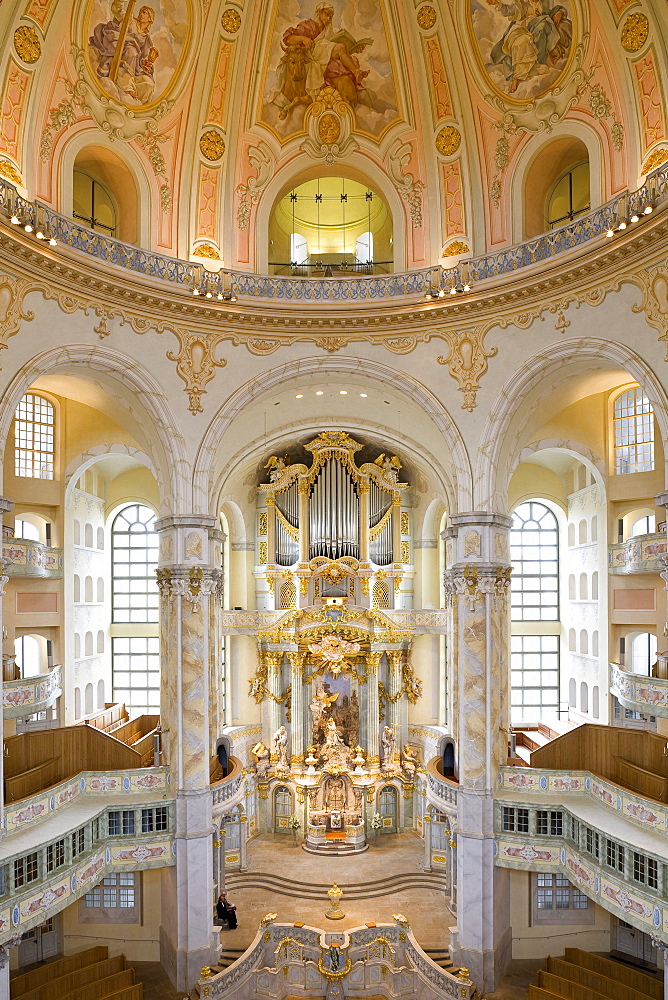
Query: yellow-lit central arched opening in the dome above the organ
x=330, y=225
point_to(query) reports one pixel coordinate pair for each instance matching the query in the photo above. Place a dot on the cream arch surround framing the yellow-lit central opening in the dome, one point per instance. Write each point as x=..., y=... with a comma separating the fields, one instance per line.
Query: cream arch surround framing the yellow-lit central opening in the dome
x=358, y=166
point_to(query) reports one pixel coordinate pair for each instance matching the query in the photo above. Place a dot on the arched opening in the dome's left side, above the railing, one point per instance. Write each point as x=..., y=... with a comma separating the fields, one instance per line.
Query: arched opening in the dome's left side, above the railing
x=104, y=194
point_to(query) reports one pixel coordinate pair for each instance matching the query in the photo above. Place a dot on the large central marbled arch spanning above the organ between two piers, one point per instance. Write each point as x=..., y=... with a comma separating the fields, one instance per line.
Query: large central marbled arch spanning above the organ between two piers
x=207, y=477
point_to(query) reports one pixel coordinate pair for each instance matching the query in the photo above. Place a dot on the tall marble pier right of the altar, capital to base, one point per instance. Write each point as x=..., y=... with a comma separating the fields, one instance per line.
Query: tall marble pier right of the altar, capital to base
x=477, y=585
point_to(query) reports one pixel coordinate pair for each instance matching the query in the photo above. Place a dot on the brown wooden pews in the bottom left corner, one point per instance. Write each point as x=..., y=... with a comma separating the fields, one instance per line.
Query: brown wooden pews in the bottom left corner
x=88, y=975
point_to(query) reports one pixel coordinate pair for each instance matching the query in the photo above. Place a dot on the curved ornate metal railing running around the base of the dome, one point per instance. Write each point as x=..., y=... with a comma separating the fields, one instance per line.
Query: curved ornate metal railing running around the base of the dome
x=437, y=281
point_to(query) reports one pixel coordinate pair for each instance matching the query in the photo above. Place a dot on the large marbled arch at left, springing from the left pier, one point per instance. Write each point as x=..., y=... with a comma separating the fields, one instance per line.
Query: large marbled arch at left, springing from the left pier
x=142, y=398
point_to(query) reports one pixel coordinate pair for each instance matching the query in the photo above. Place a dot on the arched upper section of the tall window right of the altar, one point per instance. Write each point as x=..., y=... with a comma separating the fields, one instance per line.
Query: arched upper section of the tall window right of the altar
x=534, y=544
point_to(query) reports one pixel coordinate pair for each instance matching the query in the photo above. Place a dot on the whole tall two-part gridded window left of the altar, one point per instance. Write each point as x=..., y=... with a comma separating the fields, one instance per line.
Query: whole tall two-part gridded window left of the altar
x=135, y=657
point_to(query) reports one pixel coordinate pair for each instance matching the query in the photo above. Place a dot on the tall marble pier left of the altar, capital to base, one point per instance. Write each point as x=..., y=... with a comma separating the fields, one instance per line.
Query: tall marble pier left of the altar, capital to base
x=189, y=580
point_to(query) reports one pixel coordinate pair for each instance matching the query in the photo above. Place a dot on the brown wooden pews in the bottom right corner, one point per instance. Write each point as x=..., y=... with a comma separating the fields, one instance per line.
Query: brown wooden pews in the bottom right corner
x=581, y=975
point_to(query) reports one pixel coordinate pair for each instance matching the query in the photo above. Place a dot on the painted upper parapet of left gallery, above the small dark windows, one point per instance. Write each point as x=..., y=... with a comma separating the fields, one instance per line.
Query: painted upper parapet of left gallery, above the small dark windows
x=44, y=804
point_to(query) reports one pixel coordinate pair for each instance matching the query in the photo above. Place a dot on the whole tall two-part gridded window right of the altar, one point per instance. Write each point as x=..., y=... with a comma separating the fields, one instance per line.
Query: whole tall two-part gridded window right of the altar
x=534, y=659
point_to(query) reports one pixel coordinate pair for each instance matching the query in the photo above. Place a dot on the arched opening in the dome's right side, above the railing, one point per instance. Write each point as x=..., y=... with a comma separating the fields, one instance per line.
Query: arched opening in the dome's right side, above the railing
x=556, y=186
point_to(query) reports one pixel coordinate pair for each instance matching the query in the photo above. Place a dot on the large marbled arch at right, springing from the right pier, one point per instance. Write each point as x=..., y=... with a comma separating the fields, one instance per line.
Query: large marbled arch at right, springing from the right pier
x=519, y=399
